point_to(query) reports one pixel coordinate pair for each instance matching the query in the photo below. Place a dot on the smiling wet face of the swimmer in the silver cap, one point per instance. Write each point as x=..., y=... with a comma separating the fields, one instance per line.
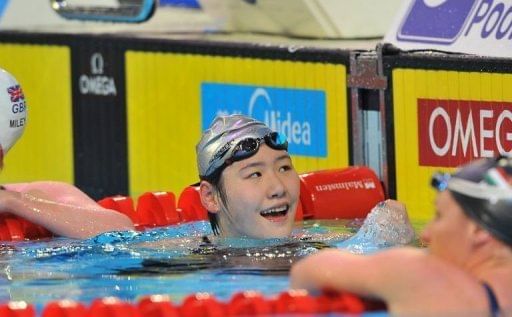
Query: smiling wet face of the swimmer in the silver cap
x=262, y=192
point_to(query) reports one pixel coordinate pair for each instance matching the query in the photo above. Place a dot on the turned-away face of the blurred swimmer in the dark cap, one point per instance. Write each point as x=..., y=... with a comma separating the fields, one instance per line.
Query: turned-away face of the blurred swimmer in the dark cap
x=450, y=234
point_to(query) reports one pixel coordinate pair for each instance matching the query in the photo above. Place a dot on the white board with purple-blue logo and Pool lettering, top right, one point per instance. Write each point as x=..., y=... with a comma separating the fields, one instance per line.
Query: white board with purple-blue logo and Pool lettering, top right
x=481, y=27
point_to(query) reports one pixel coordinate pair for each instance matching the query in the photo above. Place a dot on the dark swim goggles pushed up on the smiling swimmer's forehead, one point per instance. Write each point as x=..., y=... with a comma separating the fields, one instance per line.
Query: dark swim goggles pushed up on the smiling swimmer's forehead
x=245, y=148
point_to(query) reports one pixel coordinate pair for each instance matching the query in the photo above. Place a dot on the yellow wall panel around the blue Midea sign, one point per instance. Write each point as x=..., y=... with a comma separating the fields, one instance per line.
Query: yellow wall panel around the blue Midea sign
x=164, y=110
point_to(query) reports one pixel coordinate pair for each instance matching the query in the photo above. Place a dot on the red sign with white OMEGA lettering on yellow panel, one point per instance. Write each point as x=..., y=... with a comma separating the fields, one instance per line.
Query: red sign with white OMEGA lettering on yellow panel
x=452, y=132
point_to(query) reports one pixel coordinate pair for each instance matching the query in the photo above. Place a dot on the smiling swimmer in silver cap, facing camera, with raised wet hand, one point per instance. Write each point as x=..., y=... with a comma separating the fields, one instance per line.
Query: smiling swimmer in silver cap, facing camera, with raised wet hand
x=251, y=189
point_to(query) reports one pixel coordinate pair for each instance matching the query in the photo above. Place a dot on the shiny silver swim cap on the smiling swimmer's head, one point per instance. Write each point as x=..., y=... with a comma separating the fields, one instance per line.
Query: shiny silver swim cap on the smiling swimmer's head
x=222, y=135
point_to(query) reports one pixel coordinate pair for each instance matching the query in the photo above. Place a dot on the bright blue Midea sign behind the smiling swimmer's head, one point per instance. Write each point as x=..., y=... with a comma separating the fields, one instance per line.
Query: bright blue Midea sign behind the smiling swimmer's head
x=298, y=113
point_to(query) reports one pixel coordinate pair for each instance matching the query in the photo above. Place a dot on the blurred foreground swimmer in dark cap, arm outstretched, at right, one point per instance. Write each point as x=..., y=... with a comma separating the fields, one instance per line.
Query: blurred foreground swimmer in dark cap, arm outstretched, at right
x=467, y=269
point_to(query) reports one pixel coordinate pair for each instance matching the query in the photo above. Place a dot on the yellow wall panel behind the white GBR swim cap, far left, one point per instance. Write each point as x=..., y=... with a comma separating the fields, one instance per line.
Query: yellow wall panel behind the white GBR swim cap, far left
x=45, y=151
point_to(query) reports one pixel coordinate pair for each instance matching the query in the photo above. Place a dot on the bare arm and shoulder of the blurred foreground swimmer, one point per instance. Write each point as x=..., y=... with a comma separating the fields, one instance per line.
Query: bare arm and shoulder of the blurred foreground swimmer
x=409, y=280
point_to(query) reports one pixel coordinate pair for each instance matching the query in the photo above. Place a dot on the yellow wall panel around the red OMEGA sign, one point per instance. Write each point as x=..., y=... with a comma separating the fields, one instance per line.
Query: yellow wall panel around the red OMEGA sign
x=409, y=85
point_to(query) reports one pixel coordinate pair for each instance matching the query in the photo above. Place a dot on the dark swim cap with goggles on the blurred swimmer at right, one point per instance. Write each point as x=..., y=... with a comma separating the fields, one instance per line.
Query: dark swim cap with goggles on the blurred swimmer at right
x=483, y=188
